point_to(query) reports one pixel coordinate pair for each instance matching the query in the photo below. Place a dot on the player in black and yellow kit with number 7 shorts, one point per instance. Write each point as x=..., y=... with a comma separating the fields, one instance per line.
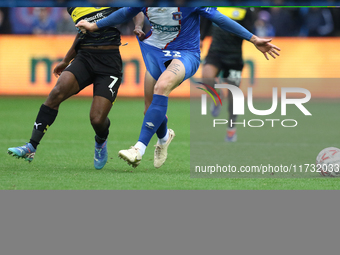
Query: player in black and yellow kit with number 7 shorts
x=96, y=60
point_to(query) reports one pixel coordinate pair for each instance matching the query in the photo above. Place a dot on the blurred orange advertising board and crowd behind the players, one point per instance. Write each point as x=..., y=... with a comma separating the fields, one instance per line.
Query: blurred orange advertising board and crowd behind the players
x=34, y=39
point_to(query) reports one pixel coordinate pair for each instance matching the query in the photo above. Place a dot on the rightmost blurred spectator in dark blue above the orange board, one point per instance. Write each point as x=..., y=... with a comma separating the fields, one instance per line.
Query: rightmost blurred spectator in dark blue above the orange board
x=318, y=22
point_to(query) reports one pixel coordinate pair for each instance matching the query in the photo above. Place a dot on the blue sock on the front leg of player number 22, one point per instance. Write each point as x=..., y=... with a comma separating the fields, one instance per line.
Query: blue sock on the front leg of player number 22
x=153, y=118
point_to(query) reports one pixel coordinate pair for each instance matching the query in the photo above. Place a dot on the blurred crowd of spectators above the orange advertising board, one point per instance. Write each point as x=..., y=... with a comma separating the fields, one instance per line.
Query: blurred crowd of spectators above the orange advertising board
x=271, y=21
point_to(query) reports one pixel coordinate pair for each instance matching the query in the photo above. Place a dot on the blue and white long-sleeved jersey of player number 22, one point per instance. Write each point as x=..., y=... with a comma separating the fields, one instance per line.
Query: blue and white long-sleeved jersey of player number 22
x=176, y=28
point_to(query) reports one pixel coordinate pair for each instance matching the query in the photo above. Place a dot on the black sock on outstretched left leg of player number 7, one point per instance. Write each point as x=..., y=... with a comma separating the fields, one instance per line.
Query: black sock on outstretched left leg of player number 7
x=44, y=120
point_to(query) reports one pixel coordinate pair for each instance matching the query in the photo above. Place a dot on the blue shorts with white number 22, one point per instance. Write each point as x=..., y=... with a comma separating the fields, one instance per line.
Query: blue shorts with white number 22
x=156, y=59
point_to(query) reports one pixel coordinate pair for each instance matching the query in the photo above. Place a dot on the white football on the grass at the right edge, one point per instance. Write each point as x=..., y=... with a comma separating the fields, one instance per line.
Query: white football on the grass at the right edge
x=328, y=162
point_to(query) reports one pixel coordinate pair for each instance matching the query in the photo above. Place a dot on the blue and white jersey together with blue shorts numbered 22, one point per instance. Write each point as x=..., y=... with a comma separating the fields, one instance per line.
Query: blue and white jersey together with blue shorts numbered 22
x=175, y=34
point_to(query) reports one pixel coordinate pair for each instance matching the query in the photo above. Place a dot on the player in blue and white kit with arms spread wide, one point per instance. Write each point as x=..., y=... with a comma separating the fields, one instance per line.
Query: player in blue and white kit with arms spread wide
x=171, y=52
